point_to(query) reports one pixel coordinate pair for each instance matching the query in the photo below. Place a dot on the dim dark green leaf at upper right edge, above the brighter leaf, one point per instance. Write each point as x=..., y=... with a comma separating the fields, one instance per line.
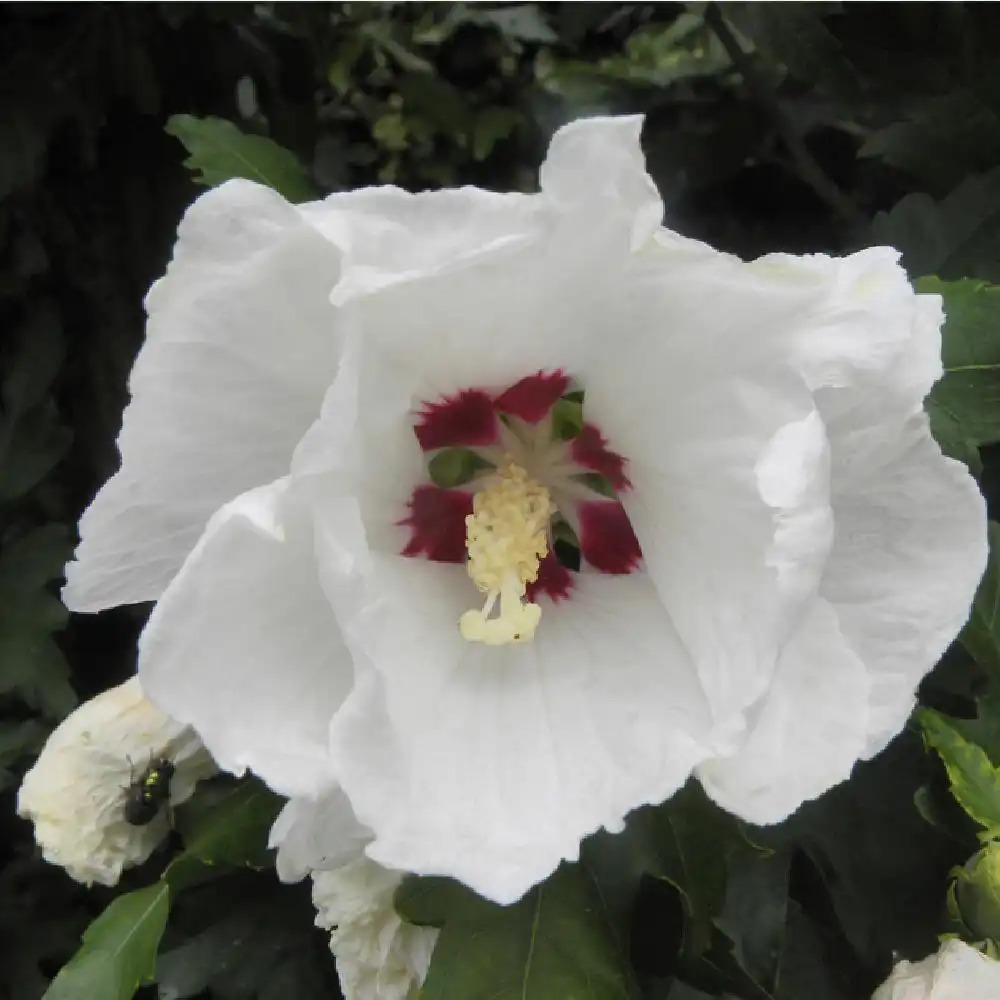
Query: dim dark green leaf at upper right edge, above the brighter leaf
x=957, y=237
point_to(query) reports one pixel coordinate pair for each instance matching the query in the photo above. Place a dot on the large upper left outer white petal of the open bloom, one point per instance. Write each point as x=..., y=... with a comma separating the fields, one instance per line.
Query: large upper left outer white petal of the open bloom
x=240, y=346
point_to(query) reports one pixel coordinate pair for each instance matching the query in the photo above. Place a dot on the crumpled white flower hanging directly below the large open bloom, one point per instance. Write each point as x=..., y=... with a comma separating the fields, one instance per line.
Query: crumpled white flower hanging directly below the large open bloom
x=379, y=956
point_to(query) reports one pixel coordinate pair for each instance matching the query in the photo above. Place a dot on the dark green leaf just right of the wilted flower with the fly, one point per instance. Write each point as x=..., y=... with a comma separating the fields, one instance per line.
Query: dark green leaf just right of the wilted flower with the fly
x=233, y=831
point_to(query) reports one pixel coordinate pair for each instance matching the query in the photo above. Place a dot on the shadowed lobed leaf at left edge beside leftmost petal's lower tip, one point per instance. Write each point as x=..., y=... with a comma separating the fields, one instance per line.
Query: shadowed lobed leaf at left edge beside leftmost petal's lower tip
x=31, y=664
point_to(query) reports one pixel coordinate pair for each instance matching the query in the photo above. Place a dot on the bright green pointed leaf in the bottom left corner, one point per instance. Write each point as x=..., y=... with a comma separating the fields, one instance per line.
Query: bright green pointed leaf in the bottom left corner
x=119, y=948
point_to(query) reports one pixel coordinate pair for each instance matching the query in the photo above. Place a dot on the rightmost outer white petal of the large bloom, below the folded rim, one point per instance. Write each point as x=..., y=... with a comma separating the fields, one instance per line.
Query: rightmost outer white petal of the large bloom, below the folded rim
x=910, y=549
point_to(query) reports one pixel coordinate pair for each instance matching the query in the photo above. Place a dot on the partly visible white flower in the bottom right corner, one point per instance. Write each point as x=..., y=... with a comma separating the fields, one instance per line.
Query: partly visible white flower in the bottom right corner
x=956, y=972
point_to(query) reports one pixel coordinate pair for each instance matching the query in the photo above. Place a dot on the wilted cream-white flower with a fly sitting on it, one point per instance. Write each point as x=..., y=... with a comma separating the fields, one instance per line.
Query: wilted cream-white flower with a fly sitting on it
x=75, y=793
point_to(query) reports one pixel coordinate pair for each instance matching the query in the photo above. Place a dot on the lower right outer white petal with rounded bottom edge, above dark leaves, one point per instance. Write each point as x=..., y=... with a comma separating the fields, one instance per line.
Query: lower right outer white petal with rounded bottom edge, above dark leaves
x=806, y=734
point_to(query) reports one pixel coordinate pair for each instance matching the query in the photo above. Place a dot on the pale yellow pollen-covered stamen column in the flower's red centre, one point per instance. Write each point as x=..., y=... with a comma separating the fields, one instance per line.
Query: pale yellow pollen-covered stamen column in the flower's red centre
x=506, y=538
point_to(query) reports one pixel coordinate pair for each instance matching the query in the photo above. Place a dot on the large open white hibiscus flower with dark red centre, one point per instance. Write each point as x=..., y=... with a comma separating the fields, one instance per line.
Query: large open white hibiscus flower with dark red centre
x=378, y=396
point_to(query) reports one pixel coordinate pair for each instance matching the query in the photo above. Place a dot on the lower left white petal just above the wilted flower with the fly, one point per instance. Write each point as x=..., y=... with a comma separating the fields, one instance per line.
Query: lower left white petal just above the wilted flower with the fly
x=244, y=647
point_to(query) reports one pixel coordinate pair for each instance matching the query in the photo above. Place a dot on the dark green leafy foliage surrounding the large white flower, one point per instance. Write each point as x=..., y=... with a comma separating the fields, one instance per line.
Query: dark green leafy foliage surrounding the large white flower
x=795, y=127
